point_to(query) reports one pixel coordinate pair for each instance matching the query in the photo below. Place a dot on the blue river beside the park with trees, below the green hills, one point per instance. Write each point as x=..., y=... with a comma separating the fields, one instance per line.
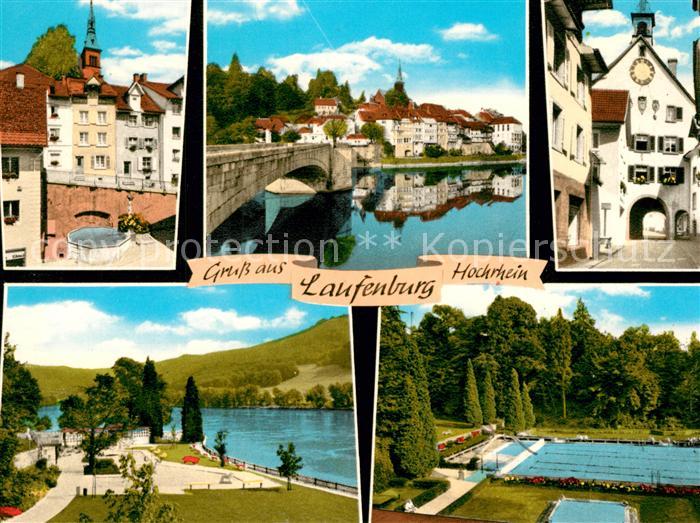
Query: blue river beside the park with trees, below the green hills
x=325, y=439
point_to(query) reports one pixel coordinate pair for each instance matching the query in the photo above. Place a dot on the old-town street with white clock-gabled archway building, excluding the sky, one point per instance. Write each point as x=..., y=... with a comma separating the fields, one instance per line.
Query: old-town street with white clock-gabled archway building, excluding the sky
x=624, y=156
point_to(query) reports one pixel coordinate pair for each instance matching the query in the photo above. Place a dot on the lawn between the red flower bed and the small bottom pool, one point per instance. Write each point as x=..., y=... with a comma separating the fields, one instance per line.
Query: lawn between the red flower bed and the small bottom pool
x=524, y=504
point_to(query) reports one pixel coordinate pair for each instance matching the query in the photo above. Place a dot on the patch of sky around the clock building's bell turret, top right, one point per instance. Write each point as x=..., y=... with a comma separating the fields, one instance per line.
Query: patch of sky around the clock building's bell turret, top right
x=676, y=28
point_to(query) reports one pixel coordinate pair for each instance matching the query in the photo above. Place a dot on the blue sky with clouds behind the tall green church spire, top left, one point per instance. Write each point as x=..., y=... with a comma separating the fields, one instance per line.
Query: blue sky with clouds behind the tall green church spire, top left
x=136, y=36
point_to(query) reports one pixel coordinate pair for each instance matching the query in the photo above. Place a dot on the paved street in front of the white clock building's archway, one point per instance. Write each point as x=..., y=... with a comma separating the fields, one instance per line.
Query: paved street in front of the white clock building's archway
x=649, y=254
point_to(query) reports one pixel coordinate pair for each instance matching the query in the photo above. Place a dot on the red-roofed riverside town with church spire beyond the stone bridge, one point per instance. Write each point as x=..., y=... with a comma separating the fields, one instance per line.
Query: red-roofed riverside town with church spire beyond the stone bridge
x=409, y=129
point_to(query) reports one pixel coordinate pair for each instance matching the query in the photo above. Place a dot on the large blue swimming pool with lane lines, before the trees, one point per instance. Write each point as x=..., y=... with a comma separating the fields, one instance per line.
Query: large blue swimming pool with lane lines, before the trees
x=615, y=462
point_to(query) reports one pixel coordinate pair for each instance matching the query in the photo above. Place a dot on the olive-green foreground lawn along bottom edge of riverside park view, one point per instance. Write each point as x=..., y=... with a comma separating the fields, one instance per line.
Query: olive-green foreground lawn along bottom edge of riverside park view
x=298, y=505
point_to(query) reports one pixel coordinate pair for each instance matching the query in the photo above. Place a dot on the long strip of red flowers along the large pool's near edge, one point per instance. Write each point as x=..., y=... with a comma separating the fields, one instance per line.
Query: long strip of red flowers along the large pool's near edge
x=604, y=486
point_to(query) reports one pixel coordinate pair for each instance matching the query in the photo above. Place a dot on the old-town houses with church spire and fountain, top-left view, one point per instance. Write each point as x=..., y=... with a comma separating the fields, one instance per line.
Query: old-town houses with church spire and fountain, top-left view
x=82, y=156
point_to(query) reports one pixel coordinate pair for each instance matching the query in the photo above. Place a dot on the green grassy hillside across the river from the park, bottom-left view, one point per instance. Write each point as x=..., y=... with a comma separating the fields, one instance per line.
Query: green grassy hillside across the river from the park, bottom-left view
x=326, y=344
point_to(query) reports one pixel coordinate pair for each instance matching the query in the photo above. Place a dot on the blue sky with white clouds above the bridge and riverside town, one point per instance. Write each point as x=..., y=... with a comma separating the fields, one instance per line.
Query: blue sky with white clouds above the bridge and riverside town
x=465, y=53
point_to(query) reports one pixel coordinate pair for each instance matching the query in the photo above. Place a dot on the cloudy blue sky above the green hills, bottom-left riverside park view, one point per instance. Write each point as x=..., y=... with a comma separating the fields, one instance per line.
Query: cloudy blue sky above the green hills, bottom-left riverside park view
x=89, y=327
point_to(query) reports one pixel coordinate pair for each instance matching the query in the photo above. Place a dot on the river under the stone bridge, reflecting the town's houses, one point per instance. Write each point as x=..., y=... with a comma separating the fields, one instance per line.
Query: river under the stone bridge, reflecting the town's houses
x=394, y=215
